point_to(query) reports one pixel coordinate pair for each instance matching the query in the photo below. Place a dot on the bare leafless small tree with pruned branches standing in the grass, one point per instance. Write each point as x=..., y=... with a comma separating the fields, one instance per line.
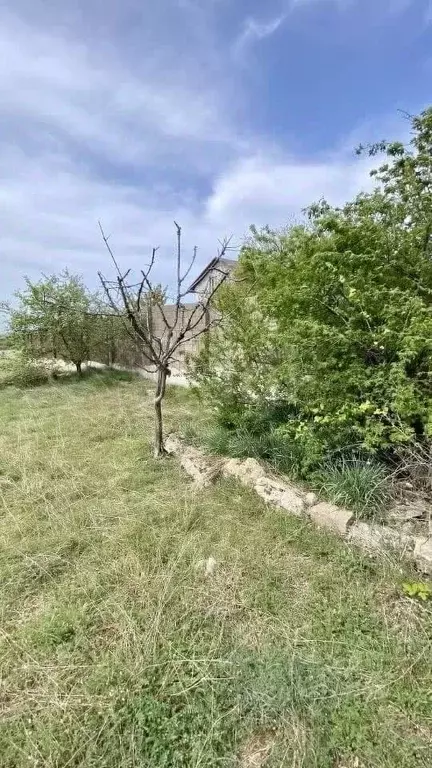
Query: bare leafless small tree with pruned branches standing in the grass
x=137, y=303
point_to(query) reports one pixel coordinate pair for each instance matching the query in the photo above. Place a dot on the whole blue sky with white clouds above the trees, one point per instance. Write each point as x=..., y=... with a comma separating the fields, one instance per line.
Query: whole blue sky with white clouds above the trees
x=218, y=114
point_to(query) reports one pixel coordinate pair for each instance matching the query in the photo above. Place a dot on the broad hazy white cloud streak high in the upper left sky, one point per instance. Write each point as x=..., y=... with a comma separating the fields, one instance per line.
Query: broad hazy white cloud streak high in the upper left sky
x=100, y=103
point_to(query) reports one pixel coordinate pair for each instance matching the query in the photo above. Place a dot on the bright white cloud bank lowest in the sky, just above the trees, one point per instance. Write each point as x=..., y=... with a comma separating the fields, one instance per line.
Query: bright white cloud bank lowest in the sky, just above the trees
x=49, y=211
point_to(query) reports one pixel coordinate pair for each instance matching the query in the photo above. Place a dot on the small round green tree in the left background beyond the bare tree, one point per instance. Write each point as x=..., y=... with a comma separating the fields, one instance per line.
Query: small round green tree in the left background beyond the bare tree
x=55, y=317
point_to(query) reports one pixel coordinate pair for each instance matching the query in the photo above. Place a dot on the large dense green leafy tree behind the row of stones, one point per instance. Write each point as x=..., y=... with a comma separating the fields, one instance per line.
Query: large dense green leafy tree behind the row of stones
x=334, y=317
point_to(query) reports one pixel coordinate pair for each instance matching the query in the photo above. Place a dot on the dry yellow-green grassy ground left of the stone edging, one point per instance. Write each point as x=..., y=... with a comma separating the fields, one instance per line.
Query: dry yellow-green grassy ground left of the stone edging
x=118, y=650
